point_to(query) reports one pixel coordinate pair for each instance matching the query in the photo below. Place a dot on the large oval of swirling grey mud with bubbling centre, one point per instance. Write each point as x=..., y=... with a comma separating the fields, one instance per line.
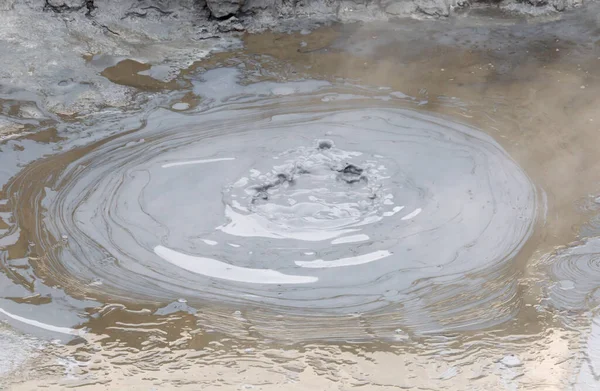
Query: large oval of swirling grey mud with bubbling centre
x=291, y=207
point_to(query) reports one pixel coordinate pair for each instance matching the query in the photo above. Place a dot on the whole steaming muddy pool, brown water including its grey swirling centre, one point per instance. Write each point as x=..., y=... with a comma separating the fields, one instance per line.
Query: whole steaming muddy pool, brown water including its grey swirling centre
x=377, y=206
